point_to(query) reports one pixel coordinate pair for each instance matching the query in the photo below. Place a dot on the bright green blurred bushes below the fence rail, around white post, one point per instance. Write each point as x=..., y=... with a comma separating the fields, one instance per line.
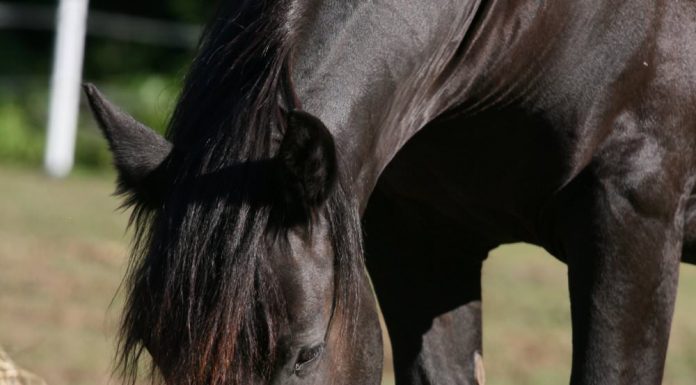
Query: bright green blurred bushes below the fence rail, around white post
x=23, y=117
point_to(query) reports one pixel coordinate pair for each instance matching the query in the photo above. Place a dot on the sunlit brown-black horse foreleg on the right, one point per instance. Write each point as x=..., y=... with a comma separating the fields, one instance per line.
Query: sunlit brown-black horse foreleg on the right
x=622, y=245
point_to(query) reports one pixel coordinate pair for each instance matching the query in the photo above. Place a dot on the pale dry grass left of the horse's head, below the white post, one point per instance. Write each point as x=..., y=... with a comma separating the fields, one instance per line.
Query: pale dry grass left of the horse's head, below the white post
x=62, y=255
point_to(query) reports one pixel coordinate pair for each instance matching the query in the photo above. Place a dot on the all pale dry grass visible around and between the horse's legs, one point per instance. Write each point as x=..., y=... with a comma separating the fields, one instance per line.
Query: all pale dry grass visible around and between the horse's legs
x=62, y=256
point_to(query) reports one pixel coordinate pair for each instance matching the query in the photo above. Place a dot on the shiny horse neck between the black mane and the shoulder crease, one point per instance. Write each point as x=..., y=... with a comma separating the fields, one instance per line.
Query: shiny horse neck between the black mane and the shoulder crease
x=371, y=70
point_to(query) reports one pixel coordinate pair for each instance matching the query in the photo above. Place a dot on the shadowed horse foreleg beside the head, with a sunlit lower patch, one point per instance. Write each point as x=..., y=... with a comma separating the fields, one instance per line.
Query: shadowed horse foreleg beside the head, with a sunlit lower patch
x=429, y=291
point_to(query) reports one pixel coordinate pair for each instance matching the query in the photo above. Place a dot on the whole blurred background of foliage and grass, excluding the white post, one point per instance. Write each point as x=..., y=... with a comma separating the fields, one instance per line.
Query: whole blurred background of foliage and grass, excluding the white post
x=63, y=244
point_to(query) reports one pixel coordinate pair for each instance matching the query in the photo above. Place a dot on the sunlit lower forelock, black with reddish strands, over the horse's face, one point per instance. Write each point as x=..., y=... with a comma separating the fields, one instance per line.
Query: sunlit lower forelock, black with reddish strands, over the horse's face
x=204, y=299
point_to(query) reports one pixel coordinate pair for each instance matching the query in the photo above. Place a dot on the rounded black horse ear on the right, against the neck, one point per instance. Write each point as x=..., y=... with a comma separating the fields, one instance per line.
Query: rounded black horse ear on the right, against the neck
x=307, y=162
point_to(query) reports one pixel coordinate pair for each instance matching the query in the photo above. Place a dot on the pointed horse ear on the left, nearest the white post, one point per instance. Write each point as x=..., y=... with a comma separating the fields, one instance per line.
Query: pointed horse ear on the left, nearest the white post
x=139, y=152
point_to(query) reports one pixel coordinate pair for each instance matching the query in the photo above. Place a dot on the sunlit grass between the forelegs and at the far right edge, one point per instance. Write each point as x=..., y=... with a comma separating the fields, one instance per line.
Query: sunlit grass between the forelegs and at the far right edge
x=527, y=334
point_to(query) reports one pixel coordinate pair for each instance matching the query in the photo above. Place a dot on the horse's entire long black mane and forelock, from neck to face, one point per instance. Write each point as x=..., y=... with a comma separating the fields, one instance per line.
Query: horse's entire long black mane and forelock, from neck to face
x=201, y=294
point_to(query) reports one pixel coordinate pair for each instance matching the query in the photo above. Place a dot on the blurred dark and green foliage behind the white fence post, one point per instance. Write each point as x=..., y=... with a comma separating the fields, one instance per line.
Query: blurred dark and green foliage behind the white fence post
x=143, y=79
